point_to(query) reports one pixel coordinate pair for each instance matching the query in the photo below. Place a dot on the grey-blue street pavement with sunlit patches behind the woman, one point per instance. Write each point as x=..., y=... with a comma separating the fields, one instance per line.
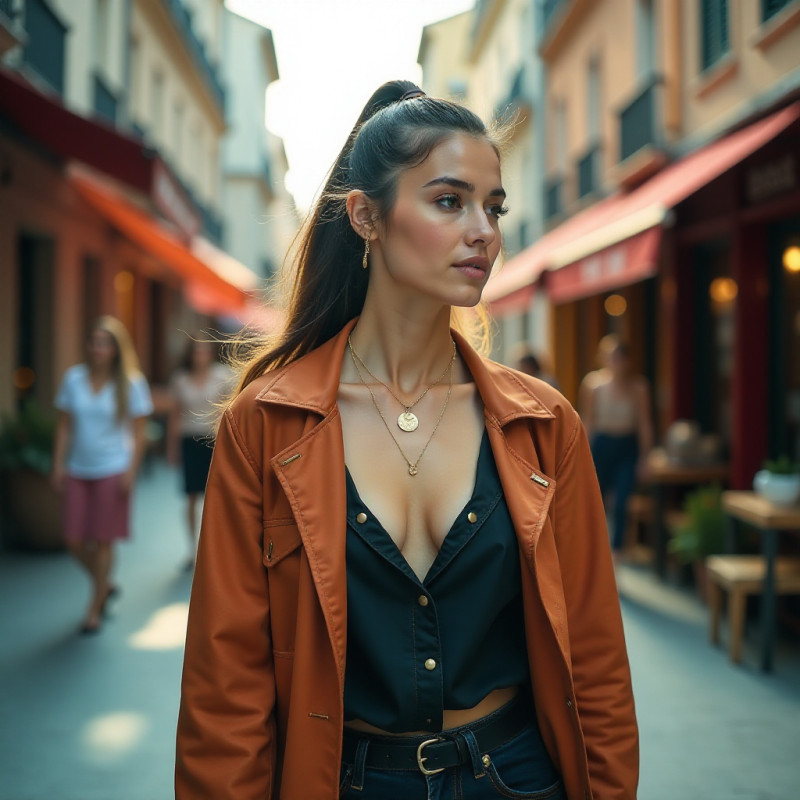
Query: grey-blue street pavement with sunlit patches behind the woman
x=93, y=718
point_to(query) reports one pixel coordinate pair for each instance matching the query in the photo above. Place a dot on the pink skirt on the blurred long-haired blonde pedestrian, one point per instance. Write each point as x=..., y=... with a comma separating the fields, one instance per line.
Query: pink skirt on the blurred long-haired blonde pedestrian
x=96, y=510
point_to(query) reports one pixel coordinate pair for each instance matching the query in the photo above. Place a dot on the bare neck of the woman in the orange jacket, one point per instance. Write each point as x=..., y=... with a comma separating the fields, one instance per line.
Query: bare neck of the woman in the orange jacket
x=404, y=350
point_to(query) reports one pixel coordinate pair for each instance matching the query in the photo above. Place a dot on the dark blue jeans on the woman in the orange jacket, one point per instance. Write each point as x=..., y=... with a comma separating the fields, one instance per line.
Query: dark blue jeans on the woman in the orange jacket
x=520, y=768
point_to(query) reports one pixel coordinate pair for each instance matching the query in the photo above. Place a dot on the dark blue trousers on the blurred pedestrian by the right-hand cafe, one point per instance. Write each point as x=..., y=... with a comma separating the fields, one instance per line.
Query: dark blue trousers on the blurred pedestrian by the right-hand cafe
x=615, y=460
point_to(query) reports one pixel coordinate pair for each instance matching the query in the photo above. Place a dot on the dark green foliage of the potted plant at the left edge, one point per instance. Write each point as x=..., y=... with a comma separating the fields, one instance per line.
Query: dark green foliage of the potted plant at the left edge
x=26, y=440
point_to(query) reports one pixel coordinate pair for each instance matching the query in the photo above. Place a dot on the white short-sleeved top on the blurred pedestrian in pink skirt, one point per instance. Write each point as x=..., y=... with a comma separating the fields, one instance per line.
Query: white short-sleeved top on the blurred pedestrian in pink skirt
x=100, y=445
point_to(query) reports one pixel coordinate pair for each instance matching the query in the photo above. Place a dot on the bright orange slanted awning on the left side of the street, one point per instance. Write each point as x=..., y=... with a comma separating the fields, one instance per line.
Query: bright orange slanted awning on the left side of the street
x=218, y=295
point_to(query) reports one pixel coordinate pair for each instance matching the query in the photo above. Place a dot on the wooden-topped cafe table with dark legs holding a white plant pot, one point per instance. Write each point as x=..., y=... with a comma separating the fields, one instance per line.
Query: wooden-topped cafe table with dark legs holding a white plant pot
x=768, y=519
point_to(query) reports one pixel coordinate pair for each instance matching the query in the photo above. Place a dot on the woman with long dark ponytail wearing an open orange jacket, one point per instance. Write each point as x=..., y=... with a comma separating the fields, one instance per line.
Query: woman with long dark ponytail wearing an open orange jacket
x=392, y=599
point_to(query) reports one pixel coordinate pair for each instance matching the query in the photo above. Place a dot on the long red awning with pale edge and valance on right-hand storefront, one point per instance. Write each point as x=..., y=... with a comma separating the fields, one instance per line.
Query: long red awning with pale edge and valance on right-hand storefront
x=621, y=217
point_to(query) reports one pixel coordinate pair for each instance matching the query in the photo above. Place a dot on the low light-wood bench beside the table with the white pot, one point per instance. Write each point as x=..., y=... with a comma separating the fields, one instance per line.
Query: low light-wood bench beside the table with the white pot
x=740, y=576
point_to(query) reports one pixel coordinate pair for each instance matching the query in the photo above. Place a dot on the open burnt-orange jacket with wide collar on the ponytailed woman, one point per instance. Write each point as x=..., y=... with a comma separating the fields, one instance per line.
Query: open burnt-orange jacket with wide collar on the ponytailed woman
x=262, y=696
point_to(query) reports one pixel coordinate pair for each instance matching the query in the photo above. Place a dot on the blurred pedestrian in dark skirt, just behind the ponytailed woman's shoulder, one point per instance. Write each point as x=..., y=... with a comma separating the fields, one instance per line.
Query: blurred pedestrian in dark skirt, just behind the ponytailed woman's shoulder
x=197, y=388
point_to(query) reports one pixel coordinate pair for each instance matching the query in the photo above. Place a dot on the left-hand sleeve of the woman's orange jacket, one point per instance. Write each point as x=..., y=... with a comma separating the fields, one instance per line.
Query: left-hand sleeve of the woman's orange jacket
x=226, y=724
